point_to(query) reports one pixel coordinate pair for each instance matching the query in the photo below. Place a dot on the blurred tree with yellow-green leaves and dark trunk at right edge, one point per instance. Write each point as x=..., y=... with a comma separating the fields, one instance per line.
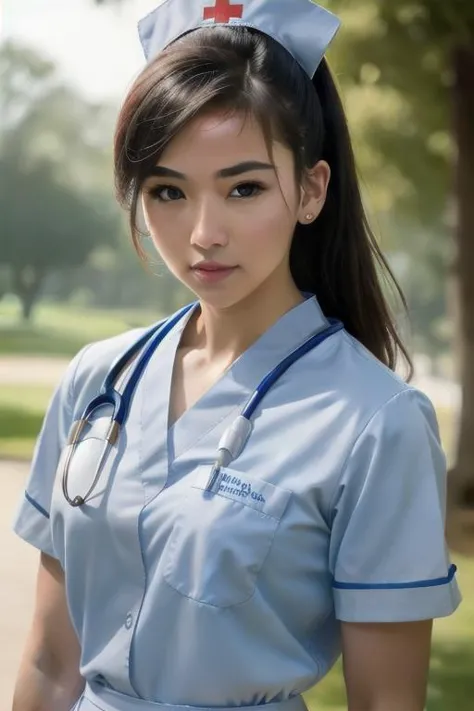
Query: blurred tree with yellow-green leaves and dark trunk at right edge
x=419, y=55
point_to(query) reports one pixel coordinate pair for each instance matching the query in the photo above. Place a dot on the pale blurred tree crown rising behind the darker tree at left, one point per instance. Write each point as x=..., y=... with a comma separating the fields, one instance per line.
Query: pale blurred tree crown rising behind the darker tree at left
x=43, y=119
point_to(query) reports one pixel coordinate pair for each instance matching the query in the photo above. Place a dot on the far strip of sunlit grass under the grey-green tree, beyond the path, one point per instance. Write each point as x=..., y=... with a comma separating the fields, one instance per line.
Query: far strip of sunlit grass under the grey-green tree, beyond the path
x=61, y=331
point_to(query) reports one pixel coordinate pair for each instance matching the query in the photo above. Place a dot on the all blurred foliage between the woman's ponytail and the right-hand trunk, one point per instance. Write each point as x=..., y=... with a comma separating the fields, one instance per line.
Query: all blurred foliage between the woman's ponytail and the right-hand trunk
x=393, y=59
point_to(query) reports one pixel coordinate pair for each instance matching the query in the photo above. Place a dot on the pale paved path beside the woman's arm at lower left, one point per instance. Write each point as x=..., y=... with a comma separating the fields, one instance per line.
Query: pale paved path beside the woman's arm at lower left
x=18, y=564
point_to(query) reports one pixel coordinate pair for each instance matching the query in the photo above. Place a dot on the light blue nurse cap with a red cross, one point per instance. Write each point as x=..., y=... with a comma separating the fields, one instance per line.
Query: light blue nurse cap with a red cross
x=302, y=27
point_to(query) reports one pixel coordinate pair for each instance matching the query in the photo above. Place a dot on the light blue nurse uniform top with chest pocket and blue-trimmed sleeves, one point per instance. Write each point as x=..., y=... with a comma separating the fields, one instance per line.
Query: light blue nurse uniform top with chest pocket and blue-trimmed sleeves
x=334, y=511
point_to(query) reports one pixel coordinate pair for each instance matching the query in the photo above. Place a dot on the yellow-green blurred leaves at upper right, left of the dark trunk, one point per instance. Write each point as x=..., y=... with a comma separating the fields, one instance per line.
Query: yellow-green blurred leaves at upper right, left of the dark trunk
x=395, y=67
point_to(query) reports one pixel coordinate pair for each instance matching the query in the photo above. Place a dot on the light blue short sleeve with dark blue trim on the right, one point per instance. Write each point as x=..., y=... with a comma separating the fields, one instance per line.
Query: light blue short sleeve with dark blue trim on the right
x=388, y=552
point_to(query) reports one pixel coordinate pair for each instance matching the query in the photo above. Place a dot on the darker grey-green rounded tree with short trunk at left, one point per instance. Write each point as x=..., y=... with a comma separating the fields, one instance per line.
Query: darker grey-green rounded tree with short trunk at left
x=45, y=226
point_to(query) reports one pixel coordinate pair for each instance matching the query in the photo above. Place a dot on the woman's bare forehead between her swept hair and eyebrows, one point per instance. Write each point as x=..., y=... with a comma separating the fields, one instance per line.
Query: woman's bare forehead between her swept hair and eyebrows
x=222, y=136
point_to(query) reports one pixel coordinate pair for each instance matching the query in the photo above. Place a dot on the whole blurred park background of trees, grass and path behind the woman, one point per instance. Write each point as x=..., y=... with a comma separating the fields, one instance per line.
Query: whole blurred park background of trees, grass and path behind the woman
x=68, y=273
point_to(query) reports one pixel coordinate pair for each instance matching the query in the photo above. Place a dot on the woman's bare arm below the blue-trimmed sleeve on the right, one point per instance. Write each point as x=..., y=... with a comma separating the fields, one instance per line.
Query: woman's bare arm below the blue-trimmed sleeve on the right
x=386, y=665
